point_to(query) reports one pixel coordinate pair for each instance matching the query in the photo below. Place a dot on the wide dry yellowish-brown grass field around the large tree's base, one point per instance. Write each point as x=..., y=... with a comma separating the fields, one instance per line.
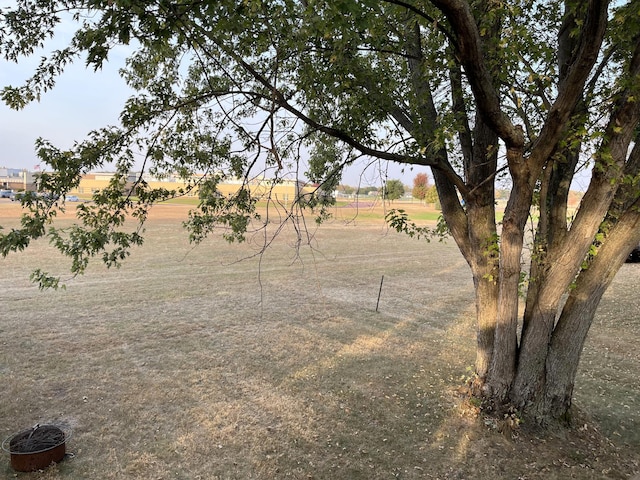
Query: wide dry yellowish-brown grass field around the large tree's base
x=215, y=362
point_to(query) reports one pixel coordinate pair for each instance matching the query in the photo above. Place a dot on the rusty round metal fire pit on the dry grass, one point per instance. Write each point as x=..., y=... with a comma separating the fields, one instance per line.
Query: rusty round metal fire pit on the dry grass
x=36, y=448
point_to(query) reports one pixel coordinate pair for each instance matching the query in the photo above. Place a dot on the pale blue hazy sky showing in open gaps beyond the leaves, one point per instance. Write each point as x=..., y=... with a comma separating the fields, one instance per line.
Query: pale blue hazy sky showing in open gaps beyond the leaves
x=83, y=100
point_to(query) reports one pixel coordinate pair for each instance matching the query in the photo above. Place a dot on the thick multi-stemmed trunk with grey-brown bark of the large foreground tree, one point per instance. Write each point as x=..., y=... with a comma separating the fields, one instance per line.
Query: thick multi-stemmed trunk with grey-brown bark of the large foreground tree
x=534, y=370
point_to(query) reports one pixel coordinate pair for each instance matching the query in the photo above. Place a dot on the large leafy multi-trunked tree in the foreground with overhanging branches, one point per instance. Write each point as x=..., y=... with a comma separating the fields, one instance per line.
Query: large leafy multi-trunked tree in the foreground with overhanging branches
x=526, y=92
